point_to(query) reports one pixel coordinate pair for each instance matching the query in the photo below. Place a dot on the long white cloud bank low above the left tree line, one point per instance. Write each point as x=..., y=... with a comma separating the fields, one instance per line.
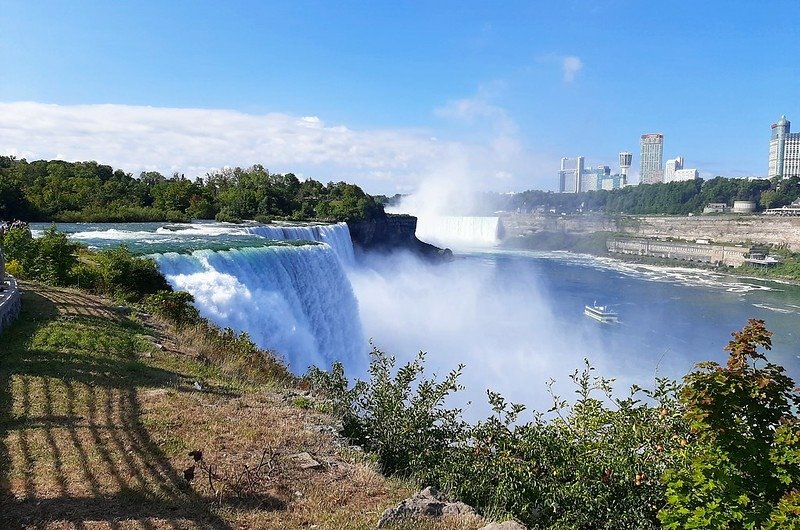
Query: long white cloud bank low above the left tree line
x=196, y=141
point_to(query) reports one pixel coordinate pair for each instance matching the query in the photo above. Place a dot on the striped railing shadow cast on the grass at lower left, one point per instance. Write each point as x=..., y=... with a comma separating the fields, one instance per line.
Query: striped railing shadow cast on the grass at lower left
x=73, y=446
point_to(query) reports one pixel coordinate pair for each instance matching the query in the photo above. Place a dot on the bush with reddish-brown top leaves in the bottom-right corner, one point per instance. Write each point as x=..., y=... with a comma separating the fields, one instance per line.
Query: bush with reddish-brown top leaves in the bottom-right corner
x=742, y=467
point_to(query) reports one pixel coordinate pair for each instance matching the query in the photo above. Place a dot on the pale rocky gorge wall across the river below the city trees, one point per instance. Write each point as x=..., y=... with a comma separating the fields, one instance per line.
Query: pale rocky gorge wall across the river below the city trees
x=783, y=231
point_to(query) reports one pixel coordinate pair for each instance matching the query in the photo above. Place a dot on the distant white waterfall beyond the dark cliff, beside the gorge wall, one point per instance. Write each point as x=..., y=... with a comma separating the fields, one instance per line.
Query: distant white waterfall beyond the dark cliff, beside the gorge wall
x=459, y=231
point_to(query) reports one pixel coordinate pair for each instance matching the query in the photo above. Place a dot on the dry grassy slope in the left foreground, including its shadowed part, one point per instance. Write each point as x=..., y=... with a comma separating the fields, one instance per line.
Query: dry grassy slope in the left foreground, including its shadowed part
x=96, y=423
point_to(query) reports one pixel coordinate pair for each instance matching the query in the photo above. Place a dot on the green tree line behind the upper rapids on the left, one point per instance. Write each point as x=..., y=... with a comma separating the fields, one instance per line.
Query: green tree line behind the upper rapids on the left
x=55, y=190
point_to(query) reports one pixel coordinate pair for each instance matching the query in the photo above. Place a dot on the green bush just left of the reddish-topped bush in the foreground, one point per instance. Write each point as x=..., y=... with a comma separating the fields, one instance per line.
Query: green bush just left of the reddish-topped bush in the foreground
x=595, y=465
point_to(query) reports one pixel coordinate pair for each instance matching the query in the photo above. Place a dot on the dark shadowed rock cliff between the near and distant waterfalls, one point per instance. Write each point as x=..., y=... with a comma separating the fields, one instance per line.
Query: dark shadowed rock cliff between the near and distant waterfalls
x=393, y=232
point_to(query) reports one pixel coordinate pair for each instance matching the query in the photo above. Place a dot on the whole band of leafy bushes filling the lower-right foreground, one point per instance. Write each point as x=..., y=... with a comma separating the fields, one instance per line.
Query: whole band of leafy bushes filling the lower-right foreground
x=721, y=450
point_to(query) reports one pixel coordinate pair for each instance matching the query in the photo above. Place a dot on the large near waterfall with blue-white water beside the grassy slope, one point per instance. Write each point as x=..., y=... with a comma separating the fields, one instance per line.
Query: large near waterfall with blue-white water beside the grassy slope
x=295, y=300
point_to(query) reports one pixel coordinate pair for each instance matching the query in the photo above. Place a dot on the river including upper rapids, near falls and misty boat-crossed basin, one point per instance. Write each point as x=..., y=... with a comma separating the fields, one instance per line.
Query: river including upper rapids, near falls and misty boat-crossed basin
x=515, y=319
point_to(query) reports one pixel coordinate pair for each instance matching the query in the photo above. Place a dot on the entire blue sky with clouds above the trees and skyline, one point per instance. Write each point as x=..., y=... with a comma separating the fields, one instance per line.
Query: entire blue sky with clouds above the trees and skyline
x=395, y=95
